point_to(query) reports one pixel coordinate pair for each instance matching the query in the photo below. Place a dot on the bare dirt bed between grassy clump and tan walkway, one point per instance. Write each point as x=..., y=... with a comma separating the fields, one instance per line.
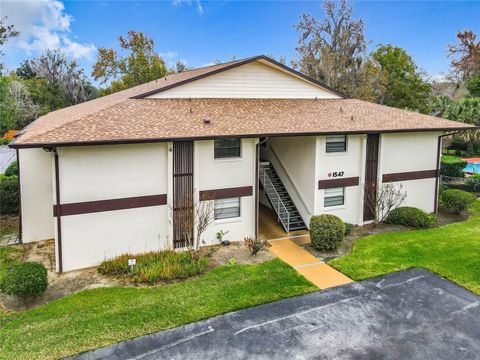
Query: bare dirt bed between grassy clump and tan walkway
x=237, y=250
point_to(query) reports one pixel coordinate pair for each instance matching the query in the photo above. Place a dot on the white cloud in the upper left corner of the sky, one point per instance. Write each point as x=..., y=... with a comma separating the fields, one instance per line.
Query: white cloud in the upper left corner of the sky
x=43, y=24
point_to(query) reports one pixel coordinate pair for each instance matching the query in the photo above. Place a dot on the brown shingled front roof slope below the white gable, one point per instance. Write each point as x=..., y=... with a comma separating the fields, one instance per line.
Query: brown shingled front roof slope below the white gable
x=134, y=120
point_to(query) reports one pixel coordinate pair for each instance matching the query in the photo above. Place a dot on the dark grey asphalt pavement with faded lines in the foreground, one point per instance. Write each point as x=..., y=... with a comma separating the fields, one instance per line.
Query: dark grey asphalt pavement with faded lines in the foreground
x=412, y=314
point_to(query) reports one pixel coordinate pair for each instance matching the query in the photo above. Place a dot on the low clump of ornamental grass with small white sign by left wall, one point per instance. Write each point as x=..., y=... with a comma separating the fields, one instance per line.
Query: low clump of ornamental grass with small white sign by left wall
x=155, y=266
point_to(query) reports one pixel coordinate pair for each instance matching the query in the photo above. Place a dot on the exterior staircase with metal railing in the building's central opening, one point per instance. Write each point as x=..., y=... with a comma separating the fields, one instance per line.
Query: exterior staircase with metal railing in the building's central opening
x=279, y=198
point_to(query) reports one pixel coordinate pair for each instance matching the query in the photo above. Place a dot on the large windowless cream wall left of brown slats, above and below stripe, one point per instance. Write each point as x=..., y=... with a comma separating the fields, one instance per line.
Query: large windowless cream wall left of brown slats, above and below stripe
x=112, y=172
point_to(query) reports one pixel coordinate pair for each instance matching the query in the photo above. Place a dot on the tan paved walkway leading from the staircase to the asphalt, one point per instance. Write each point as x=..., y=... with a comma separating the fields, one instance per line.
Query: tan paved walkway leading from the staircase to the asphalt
x=317, y=272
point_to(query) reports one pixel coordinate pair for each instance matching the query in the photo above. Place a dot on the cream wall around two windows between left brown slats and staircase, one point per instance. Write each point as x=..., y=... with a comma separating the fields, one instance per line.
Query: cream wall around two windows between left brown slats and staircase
x=211, y=173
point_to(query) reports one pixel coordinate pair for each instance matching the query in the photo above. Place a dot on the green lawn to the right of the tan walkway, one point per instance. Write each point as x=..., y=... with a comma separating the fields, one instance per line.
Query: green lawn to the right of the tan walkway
x=452, y=251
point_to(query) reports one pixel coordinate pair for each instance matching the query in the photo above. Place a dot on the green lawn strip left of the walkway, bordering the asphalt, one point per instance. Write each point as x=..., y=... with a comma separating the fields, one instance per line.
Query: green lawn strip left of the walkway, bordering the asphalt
x=100, y=317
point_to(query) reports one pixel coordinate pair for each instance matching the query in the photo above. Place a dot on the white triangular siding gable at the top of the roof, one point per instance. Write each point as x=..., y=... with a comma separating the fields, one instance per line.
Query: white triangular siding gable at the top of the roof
x=253, y=80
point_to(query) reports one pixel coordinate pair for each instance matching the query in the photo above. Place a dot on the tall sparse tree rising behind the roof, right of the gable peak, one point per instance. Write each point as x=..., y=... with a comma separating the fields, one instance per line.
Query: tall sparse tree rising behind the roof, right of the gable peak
x=332, y=50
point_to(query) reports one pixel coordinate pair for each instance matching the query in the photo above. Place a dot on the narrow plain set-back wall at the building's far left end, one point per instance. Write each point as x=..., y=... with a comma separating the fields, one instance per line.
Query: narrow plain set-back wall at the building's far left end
x=36, y=194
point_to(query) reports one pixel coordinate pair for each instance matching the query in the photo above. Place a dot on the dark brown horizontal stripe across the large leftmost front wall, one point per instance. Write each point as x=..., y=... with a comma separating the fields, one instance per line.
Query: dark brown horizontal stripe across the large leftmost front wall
x=88, y=207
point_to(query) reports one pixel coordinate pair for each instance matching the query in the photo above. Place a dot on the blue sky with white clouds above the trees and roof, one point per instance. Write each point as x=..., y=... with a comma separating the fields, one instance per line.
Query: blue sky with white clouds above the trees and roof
x=202, y=32
